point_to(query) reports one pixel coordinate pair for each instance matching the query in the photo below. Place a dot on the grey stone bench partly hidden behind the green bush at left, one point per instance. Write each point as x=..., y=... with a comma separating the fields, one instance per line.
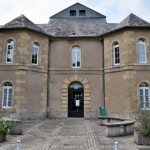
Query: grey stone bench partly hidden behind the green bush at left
x=16, y=128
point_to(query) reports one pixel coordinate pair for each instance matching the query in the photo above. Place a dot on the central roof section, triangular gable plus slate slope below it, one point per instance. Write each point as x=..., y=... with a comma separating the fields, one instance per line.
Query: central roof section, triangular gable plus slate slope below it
x=63, y=24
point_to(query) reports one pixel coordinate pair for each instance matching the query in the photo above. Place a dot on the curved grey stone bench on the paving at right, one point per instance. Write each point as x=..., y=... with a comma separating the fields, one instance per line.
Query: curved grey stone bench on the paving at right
x=117, y=126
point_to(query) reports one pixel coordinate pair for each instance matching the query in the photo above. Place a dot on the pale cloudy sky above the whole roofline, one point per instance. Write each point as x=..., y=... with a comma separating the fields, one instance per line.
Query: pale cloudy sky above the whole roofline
x=39, y=11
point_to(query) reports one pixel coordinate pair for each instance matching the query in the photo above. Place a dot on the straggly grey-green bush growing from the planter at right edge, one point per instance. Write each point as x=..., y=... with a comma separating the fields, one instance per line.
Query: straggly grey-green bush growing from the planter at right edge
x=143, y=119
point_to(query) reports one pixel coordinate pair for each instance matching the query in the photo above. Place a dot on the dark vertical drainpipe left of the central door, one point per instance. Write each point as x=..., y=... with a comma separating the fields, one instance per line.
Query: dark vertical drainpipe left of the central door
x=48, y=79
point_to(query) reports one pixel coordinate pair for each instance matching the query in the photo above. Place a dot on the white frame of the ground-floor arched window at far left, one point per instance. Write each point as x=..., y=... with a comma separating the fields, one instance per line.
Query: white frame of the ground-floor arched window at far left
x=8, y=96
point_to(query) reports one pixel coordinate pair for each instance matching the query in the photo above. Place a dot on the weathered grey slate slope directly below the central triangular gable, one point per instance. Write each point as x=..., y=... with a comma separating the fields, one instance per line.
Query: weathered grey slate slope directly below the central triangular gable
x=76, y=27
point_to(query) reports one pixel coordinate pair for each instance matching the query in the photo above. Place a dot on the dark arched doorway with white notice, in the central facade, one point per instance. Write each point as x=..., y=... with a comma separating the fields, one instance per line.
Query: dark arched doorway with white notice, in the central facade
x=76, y=100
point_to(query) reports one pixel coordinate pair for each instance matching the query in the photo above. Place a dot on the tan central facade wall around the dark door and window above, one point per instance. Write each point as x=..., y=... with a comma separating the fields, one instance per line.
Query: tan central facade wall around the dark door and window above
x=62, y=75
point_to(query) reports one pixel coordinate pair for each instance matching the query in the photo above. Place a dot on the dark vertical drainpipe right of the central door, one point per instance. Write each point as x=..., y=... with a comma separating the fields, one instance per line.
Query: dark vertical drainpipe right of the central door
x=103, y=73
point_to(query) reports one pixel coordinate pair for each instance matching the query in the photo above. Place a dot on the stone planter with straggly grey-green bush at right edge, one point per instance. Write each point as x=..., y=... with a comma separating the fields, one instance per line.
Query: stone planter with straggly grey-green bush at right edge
x=142, y=127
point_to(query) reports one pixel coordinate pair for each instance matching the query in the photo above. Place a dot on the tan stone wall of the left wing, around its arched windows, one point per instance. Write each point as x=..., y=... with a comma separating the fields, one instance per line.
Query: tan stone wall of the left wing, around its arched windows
x=29, y=82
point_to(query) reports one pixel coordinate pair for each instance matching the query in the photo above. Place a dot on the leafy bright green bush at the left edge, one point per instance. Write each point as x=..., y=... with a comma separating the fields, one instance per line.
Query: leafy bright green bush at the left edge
x=5, y=125
